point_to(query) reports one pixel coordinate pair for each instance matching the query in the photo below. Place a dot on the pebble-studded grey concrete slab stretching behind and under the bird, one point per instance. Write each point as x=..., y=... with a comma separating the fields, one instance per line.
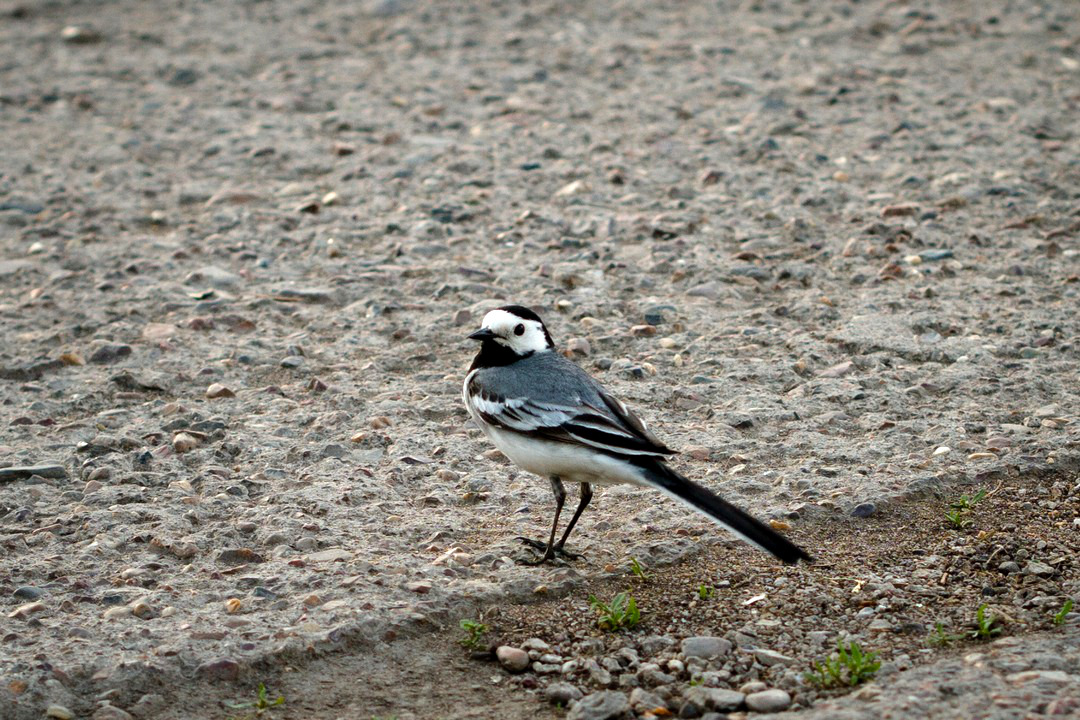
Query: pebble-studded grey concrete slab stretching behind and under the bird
x=829, y=250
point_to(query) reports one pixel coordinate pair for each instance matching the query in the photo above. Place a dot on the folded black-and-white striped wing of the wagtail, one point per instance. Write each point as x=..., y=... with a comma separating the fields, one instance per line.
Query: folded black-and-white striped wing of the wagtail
x=605, y=424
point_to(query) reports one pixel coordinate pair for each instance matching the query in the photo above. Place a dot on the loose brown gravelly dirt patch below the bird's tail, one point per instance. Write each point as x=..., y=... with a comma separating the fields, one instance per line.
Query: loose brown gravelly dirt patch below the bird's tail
x=887, y=581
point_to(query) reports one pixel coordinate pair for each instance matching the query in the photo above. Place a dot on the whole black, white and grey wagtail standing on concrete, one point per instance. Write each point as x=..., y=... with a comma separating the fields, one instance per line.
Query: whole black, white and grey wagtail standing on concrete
x=552, y=419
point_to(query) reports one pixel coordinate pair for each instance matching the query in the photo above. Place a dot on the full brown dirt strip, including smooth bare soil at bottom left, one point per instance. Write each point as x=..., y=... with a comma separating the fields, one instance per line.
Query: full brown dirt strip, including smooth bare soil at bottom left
x=885, y=581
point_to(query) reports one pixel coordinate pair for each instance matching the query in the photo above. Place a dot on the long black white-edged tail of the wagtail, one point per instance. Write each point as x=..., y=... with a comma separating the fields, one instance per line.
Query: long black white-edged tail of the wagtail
x=706, y=501
